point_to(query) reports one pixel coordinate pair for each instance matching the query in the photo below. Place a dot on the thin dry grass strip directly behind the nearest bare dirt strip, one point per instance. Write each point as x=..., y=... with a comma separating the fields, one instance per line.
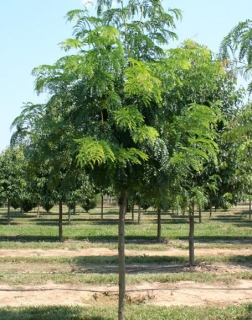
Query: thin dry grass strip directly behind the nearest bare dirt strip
x=112, y=278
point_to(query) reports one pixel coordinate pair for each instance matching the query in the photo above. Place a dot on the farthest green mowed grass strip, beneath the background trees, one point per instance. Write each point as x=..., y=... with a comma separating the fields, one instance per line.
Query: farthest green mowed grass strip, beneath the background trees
x=221, y=228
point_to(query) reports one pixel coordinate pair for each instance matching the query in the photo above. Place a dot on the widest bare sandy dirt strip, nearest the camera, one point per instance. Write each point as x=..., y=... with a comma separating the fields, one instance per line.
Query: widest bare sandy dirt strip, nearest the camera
x=181, y=293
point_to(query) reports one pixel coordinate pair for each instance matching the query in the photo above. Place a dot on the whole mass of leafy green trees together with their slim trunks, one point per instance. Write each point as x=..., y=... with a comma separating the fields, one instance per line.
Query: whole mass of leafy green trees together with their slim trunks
x=162, y=126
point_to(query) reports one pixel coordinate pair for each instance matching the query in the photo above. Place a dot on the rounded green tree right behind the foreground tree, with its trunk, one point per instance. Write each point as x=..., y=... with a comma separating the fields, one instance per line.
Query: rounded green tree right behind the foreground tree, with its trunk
x=197, y=106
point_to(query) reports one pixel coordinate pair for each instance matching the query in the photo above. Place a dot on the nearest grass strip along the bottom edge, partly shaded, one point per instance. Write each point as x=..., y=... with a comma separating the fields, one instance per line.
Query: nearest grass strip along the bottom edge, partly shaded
x=132, y=312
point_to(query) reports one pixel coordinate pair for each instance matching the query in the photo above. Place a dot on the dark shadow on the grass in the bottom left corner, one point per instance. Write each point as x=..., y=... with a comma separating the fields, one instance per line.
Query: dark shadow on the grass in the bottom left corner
x=50, y=313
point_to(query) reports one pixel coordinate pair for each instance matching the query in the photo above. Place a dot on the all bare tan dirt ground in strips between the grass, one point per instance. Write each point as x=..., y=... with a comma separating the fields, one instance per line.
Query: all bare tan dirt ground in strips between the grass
x=162, y=294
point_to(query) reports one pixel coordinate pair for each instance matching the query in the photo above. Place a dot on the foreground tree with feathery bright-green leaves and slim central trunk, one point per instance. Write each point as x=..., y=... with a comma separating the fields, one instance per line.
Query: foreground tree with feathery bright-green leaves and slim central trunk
x=104, y=92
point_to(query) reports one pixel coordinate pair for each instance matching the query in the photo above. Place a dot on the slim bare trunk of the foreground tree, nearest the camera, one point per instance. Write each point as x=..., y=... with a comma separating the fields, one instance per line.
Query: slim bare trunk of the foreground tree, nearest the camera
x=121, y=253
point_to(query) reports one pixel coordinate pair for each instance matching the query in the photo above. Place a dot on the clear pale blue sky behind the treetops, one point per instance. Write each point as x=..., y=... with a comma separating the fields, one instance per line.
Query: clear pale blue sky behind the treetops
x=30, y=31
